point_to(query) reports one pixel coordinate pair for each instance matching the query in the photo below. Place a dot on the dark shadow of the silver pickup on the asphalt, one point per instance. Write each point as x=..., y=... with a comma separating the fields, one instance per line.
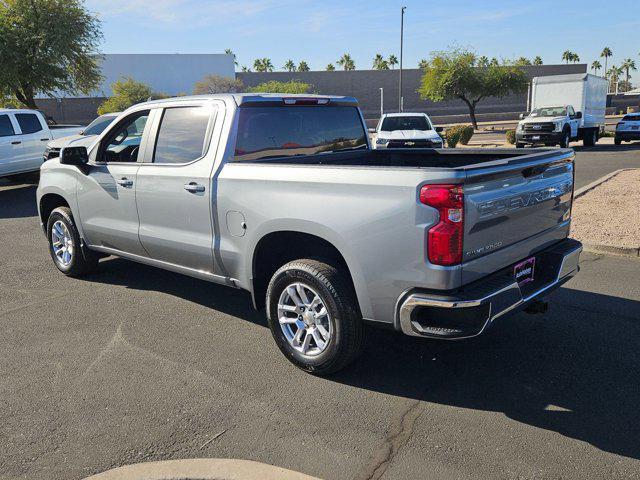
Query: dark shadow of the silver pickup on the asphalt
x=574, y=370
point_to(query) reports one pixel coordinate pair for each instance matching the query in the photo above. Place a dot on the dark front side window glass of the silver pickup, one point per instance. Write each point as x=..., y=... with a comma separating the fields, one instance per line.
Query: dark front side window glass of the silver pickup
x=123, y=144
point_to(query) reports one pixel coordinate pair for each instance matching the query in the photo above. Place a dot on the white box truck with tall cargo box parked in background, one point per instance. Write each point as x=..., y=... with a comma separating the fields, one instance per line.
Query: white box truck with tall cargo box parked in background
x=564, y=108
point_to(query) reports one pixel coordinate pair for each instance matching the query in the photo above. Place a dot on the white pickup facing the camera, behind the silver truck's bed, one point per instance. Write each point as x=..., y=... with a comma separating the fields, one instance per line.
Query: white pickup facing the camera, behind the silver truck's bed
x=406, y=130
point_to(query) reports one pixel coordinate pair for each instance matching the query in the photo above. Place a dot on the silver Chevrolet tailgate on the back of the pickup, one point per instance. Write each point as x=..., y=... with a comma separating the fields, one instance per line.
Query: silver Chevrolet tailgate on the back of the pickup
x=523, y=202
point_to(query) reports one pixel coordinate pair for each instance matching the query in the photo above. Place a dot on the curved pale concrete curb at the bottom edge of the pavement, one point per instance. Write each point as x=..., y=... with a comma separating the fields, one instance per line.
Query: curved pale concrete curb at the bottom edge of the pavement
x=201, y=469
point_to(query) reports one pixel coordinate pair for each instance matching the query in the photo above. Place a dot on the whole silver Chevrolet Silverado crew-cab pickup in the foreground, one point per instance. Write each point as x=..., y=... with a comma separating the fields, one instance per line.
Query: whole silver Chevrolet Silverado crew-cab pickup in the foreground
x=283, y=196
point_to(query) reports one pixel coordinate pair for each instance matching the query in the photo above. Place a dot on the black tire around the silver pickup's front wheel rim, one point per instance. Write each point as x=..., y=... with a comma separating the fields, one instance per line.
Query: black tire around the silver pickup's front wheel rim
x=82, y=259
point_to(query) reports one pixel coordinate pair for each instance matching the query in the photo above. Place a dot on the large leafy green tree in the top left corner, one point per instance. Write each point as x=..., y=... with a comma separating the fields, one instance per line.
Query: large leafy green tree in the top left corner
x=47, y=47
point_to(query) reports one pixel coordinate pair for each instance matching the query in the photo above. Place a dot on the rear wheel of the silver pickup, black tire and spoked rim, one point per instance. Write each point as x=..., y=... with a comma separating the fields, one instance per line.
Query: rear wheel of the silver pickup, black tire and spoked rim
x=313, y=316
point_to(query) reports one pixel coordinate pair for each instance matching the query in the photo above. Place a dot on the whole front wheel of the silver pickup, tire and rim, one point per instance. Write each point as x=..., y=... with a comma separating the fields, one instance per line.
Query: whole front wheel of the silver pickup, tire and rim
x=65, y=246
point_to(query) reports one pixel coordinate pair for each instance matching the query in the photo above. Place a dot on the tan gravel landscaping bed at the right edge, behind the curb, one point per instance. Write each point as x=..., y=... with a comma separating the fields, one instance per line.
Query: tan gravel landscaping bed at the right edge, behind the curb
x=609, y=215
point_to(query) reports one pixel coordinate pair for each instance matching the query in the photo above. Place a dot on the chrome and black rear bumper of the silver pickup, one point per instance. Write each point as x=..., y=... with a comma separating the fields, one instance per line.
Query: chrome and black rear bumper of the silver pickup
x=469, y=311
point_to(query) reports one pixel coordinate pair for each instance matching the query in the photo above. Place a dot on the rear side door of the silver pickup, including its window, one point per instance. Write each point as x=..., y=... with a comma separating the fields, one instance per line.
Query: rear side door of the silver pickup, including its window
x=174, y=196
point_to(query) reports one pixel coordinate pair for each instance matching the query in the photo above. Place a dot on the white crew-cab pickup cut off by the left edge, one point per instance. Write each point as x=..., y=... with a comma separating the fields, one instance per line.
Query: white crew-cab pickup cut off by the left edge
x=24, y=135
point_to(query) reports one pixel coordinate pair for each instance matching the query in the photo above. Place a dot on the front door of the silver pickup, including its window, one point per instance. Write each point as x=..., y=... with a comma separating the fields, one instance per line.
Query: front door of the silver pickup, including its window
x=107, y=194
